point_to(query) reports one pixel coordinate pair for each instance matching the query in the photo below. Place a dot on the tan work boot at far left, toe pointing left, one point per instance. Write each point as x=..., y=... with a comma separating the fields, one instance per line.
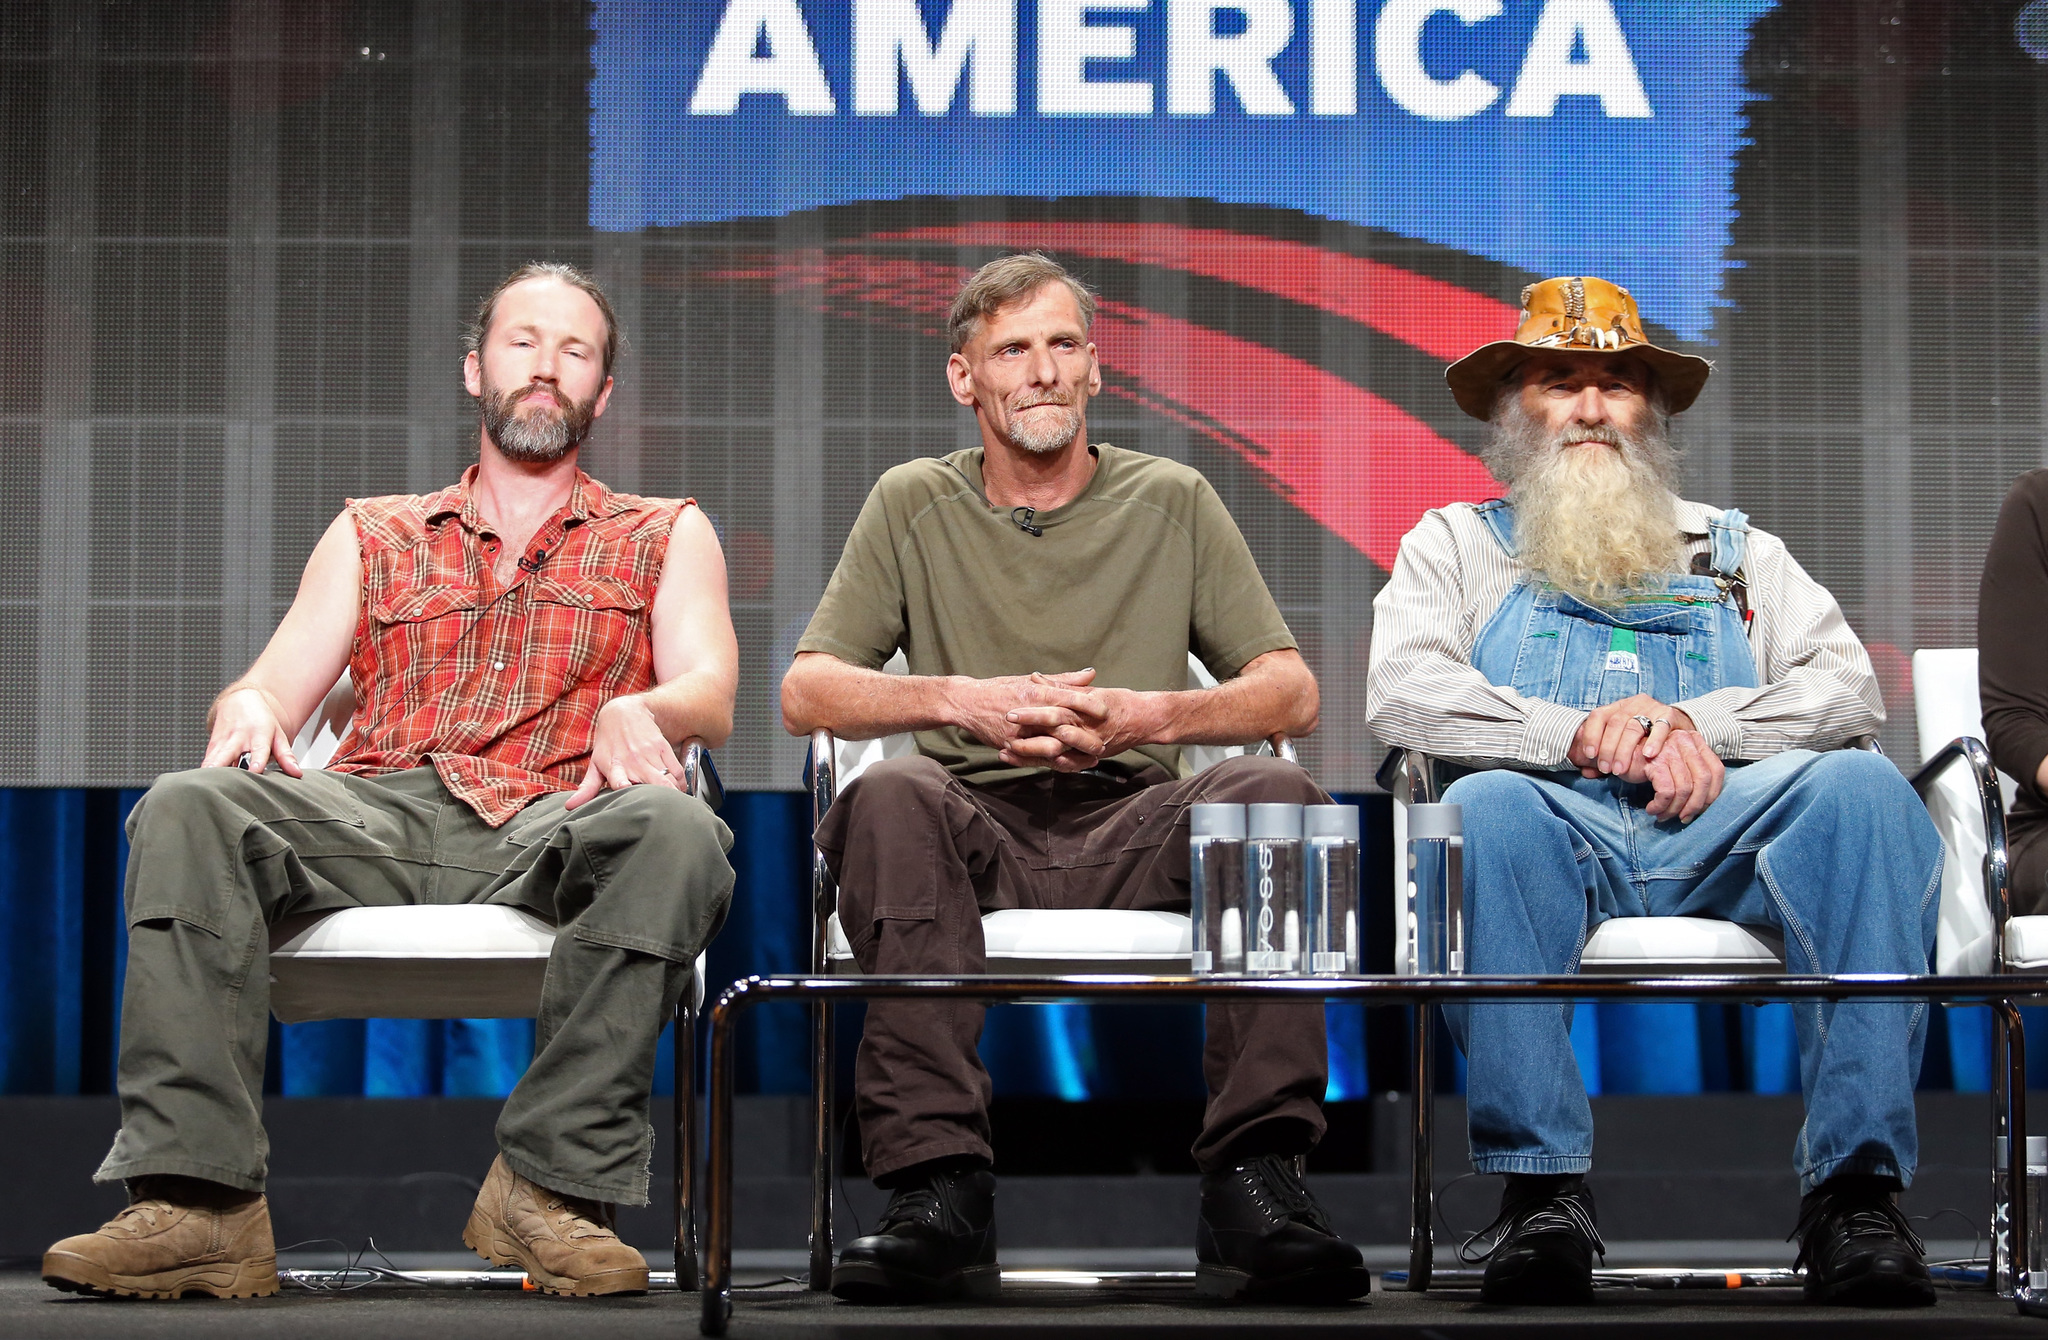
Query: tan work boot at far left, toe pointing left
x=177, y=1237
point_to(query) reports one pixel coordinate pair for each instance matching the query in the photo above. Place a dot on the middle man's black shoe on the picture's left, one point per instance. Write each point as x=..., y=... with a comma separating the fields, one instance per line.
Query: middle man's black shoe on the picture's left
x=937, y=1241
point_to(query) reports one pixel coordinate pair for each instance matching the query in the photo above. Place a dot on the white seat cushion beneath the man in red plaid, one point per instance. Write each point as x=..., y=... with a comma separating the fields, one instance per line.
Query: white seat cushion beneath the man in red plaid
x=468, y=962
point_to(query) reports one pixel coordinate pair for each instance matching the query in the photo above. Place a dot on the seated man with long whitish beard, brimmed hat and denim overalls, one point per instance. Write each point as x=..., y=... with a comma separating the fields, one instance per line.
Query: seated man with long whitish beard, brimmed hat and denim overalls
x=1652, y=696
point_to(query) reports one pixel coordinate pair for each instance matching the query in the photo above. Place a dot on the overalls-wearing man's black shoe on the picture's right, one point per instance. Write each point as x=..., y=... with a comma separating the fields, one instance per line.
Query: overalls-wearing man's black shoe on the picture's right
x=1859, y=1249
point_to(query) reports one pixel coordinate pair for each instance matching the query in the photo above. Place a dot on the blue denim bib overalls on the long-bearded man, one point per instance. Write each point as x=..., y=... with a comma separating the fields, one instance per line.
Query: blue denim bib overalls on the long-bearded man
x=1830, y=849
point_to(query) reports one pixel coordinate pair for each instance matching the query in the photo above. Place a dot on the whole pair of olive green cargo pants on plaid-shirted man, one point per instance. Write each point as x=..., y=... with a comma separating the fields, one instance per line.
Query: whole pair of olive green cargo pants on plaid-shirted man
x=636, y=880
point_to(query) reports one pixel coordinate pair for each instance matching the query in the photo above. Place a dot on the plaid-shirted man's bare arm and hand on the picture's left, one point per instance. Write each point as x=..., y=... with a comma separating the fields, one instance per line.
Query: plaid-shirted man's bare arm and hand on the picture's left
x=263, y=710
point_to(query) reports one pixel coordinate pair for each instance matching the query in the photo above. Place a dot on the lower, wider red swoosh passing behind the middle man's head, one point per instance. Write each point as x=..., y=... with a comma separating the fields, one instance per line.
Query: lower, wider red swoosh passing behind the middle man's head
x=1357, y=464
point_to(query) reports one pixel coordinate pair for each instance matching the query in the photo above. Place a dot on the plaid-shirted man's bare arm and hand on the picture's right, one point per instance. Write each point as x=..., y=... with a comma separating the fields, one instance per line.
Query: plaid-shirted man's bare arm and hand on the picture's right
x=695, y=667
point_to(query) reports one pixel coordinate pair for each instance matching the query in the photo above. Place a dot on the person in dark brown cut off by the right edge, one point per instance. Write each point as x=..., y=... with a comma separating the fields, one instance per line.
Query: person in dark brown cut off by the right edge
x=2012, y=669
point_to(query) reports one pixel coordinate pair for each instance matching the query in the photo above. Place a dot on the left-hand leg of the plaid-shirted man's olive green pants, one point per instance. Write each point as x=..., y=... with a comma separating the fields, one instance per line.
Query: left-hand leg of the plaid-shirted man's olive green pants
x=216, y=857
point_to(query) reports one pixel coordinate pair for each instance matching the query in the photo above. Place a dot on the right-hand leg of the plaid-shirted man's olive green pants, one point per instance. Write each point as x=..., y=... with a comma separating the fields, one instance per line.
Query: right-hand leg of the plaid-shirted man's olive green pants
x=638, y=884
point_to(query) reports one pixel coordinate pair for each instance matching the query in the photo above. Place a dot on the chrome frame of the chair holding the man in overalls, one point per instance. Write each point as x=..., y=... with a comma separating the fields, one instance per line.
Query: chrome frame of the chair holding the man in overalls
x=1422, y=778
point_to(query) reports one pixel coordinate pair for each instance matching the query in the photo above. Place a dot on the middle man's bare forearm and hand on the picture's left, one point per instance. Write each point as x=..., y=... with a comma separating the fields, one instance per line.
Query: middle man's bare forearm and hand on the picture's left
x=820, y=692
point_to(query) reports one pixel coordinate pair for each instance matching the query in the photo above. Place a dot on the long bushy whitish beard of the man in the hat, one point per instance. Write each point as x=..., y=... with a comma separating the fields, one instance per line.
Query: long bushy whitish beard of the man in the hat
x=1592, y=521
